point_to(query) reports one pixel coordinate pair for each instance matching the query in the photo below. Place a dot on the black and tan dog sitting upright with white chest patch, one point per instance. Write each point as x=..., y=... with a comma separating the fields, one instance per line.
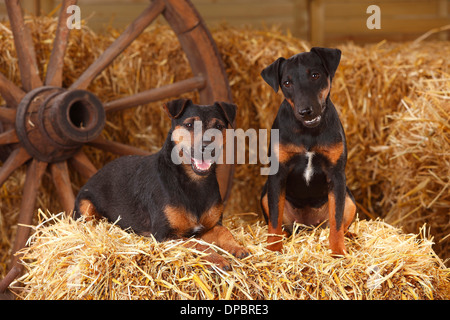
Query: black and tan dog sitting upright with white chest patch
x=310, y=186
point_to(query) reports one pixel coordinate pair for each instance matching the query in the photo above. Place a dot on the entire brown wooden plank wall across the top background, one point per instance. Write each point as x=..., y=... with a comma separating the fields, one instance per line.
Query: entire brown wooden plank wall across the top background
x=323, y=22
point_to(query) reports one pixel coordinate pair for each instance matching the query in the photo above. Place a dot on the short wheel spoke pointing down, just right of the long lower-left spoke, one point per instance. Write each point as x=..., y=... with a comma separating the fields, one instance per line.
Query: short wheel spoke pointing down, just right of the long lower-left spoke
x=61, y=180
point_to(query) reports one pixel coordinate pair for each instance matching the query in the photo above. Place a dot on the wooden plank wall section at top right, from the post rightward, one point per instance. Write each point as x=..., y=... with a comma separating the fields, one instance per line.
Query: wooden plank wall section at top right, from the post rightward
x=339, y=21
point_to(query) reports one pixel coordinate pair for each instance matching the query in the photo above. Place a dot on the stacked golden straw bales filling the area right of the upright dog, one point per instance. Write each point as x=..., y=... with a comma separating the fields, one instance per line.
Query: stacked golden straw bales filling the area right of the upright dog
x=395, y=107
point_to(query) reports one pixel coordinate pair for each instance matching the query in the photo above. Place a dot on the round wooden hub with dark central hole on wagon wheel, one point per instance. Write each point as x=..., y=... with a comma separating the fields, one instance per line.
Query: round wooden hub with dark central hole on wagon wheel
x=53, y=123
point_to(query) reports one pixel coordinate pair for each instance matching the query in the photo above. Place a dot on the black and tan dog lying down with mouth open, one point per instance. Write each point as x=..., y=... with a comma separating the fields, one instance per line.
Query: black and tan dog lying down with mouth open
x=154, y=195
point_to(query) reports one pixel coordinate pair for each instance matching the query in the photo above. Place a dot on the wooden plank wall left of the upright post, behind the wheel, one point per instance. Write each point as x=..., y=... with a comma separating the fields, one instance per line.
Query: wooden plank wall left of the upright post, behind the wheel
x=100, y=14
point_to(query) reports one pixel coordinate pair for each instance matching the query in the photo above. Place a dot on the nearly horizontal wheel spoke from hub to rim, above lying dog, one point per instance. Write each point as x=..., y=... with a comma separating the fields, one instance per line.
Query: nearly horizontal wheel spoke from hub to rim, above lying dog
x=156, y=94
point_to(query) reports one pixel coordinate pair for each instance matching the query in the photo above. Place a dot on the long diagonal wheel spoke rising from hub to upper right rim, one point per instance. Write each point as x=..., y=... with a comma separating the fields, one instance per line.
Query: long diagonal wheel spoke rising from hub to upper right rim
x=120, y=44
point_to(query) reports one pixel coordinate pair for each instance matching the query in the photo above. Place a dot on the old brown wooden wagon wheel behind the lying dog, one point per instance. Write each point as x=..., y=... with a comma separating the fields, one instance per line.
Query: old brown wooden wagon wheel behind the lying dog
x=45, y=125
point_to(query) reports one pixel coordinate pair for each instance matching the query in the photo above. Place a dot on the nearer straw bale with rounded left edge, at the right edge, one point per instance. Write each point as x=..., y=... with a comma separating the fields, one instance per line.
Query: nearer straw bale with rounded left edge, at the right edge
x=417, y=157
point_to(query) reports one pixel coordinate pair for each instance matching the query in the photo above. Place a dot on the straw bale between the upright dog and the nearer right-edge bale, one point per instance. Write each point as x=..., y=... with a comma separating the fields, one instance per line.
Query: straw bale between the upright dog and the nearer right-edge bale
x=368, y=88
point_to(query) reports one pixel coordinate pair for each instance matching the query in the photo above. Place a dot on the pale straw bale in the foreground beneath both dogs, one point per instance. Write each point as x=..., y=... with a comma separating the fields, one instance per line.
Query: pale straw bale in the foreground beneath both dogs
x=69, y=259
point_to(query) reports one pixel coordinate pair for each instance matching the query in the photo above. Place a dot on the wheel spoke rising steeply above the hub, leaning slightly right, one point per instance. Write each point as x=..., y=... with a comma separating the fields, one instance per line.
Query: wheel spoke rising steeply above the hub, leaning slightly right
x=56, y=62
